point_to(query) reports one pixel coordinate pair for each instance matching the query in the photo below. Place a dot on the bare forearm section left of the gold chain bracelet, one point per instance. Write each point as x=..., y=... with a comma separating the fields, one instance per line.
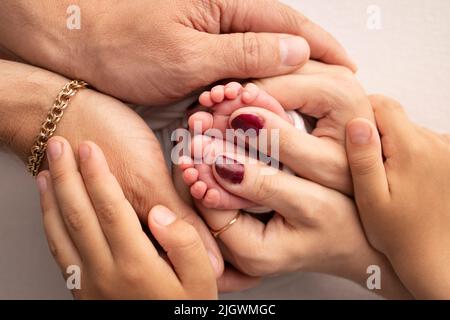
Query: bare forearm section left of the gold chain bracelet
x=26, y=94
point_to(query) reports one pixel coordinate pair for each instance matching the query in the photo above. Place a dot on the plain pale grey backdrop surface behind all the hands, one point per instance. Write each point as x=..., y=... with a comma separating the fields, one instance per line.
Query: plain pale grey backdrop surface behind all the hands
x=409, y=59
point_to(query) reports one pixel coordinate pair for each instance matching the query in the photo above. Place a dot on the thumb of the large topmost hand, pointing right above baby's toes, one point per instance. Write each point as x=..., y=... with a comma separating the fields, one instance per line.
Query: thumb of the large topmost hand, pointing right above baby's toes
x=256, y=55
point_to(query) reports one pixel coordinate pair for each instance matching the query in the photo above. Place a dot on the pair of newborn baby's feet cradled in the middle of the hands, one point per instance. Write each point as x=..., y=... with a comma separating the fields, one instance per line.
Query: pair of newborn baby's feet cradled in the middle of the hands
x=222, y=101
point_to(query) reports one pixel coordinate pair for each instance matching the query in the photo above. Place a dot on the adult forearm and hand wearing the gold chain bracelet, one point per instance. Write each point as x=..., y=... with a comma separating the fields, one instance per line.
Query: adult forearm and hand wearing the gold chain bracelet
x=131, y=149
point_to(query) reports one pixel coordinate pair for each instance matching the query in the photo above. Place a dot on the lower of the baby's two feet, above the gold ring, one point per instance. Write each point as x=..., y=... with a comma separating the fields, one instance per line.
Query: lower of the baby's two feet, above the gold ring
x=198, y=174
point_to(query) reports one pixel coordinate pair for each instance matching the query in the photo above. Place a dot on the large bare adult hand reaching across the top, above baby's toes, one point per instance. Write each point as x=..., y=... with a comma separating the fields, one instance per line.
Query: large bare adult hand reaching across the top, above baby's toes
x=154, y=52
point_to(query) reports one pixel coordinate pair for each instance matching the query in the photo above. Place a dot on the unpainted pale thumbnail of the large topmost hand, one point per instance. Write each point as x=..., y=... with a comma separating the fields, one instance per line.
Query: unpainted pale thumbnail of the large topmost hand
x=293, y=50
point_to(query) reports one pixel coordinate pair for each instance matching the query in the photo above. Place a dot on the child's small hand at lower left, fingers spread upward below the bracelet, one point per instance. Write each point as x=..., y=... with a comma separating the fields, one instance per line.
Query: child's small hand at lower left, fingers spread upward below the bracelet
x=90, y=224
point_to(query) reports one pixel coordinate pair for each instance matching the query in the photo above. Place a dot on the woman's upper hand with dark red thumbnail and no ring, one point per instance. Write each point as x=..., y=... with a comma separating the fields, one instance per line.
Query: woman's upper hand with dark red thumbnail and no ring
x=331, y=95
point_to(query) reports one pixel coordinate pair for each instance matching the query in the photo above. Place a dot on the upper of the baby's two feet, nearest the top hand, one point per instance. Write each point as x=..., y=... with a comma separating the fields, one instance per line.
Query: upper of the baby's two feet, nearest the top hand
x=224, y=100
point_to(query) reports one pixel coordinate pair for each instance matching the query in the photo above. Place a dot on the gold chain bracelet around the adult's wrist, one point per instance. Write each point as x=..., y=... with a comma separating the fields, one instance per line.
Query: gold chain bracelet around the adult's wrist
x=48, y=127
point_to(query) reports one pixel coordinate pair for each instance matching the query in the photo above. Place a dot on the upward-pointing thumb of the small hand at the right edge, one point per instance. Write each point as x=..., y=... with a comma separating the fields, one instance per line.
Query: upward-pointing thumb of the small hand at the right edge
x=365, y=158
